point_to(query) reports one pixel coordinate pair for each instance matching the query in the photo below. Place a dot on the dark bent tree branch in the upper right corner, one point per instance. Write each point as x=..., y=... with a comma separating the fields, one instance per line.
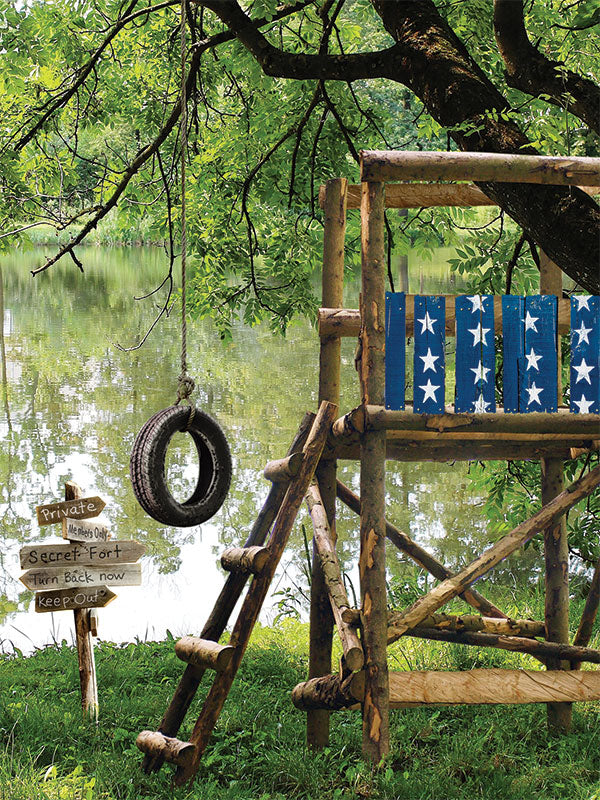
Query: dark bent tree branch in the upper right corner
x=530, y=71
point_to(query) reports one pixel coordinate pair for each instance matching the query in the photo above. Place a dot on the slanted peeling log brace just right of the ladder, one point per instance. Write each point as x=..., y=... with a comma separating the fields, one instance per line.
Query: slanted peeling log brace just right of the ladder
x=332, y=574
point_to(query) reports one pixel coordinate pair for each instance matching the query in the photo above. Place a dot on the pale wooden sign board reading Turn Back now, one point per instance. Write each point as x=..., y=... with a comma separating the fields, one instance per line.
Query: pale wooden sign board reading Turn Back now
x=66, y=577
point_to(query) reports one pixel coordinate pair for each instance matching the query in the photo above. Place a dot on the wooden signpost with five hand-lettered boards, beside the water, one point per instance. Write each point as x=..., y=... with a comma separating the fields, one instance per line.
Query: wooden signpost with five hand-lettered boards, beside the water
x=75, y=576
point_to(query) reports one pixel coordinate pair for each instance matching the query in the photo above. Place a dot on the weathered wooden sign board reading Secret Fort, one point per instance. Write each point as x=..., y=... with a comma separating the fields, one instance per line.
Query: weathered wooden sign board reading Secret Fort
x=81, y=554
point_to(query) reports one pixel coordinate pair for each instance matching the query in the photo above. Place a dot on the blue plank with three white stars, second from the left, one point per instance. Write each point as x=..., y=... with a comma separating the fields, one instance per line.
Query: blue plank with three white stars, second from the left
x=429, y=364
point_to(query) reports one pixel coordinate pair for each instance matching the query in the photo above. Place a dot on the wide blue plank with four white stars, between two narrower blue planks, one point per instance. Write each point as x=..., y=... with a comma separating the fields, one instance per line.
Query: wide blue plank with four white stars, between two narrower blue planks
x=475, y=354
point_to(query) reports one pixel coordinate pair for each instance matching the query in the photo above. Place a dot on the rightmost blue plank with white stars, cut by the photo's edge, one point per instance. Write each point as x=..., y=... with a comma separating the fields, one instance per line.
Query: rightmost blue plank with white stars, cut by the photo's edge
x=585, y=354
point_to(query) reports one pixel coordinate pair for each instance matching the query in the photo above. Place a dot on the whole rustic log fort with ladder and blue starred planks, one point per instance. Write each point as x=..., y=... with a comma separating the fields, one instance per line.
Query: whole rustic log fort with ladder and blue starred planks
x=530, y=423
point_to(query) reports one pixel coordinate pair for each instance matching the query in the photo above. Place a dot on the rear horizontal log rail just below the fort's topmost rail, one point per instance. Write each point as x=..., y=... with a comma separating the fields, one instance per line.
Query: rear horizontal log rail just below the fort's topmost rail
x=428, y=195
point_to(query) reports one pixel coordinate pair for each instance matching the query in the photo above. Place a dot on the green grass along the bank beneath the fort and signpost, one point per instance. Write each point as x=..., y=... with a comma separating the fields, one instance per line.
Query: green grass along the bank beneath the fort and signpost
x=47, y=752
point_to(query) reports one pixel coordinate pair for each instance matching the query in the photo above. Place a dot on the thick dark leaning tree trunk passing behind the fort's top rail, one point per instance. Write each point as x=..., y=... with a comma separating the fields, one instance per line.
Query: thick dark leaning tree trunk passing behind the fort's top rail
x=439, y=70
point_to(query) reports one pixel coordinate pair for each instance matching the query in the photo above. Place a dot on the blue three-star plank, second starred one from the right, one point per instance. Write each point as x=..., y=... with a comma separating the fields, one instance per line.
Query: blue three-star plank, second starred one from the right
x=538, y=366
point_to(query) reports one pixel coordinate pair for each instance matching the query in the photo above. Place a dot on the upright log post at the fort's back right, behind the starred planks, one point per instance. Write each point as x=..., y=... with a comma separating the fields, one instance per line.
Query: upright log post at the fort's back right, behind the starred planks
x=556, y=549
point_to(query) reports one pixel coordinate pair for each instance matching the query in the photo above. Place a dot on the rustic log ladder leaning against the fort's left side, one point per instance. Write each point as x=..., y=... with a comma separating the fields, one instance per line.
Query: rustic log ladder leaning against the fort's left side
x=291, y=479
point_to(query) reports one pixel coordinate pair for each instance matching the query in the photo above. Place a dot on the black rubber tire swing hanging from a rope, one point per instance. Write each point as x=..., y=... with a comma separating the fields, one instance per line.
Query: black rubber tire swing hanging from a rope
x=147, y=467
